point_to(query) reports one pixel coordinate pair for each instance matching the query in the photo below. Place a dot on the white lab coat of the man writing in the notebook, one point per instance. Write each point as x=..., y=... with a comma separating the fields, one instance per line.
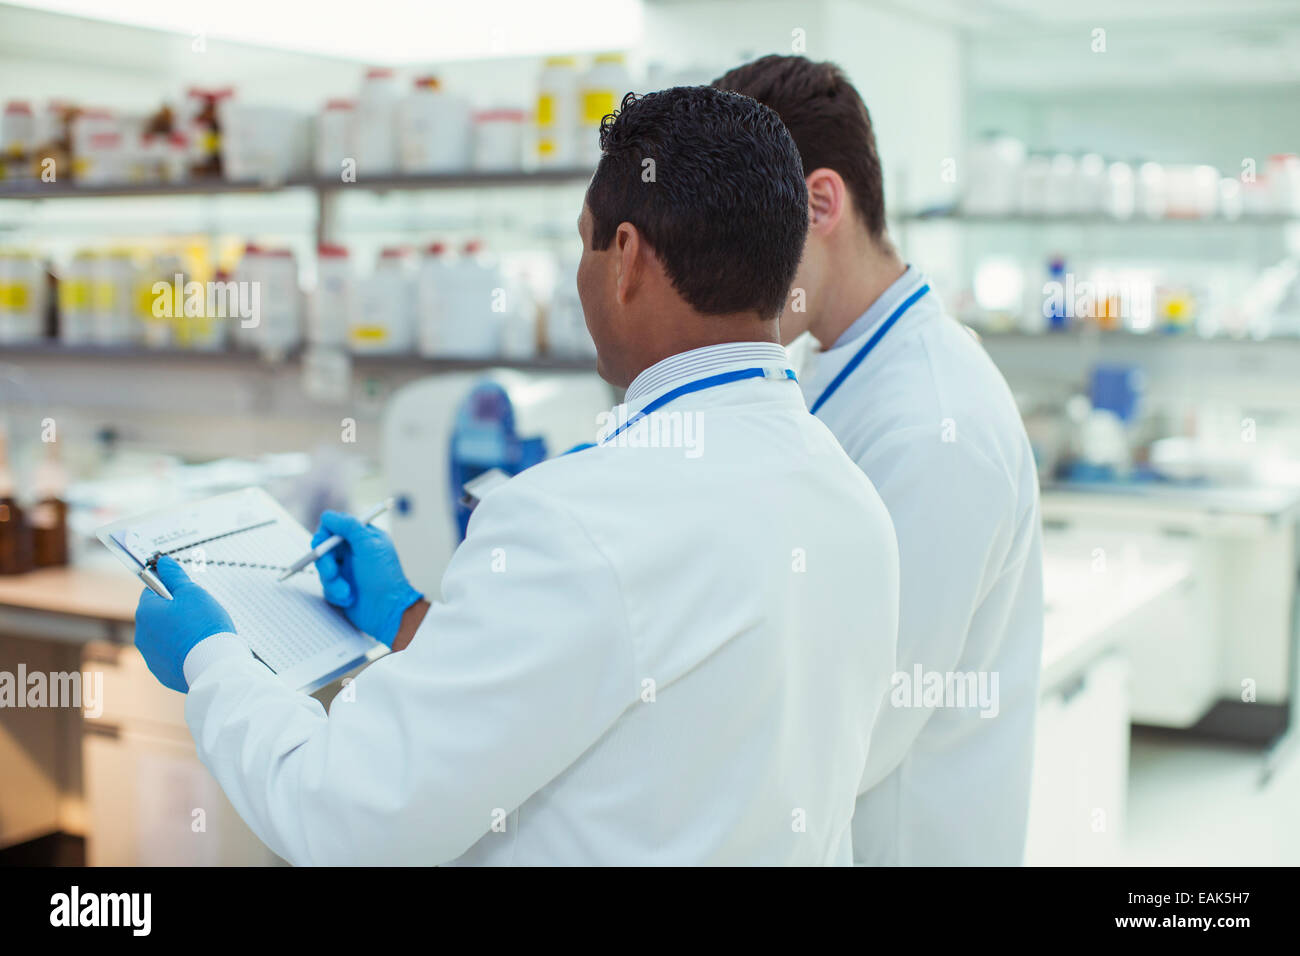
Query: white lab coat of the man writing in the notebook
x=642, y=657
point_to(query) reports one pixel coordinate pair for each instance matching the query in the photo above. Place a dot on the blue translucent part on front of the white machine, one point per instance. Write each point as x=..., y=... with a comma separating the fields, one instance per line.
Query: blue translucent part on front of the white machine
x=483, y=439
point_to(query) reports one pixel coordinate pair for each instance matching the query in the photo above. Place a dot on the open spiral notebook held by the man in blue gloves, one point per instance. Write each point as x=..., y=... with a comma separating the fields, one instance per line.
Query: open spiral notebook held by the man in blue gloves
x=236, y=546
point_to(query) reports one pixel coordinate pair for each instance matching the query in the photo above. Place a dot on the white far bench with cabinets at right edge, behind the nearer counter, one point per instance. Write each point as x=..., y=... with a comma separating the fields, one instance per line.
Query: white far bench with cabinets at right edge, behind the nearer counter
x=1225, y=663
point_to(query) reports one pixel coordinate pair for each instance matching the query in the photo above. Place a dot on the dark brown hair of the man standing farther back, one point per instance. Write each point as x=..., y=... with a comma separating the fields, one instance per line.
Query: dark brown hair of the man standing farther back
x=829, y=120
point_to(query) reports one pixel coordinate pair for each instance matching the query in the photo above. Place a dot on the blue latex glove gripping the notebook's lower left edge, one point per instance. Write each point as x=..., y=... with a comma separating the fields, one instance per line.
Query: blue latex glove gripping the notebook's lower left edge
x=166, y=631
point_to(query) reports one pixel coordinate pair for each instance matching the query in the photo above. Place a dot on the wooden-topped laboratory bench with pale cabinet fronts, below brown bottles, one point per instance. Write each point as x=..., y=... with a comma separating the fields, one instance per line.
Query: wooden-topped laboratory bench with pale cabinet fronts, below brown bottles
x=118, y=764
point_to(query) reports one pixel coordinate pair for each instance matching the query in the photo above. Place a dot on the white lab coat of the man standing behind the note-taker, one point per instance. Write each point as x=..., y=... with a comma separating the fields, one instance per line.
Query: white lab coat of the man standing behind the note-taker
x=933, y=423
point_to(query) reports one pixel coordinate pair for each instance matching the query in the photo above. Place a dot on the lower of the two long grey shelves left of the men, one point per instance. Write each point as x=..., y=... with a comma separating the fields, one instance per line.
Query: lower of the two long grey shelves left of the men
x=361, y=364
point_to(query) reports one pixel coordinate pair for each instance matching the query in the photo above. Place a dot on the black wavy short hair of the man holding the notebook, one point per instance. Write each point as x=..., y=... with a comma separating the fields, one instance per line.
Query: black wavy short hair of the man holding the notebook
x=726, y=209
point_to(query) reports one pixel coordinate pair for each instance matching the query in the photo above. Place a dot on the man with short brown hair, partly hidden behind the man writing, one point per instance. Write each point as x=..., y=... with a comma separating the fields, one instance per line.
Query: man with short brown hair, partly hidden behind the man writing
x=925, y=413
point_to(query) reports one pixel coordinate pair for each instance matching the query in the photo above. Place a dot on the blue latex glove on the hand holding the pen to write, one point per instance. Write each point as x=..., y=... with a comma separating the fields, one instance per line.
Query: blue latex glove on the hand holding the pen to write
x=365, y=577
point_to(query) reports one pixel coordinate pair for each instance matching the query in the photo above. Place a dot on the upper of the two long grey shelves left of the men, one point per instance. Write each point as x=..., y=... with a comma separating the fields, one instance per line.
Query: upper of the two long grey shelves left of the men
x=200, y=188
